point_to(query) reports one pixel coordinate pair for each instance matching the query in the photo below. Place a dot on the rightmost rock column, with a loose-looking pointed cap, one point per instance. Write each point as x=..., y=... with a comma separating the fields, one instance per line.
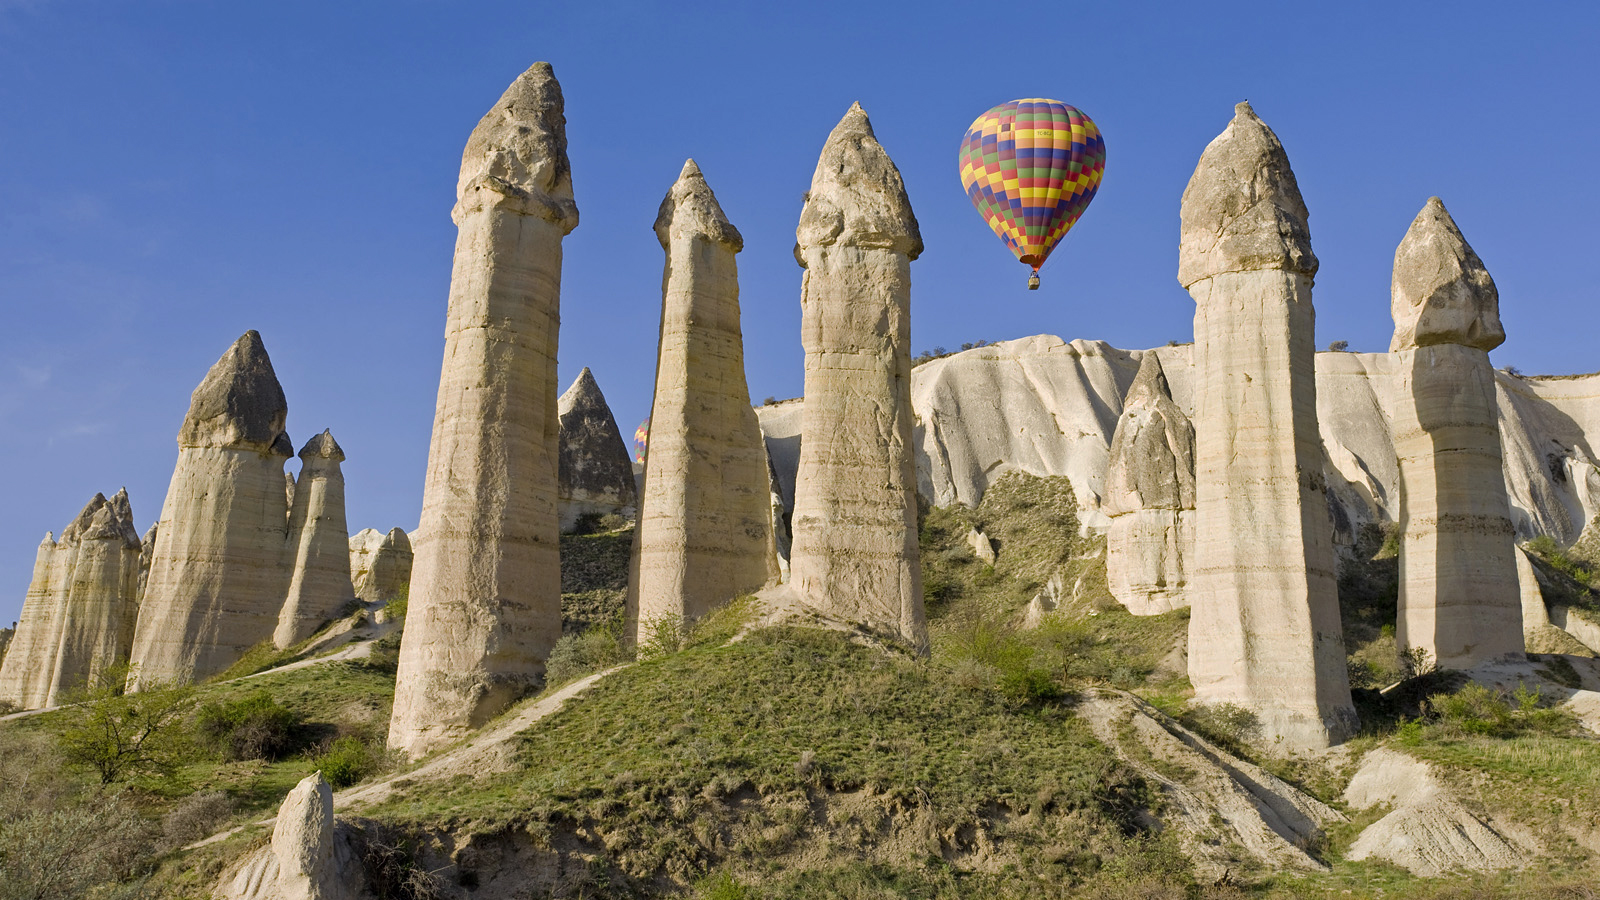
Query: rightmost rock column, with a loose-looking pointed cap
x=1460, y=600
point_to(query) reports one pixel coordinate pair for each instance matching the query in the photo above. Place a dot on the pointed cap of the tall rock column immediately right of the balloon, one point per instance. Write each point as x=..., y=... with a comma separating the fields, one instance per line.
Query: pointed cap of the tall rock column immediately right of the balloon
x=1242, y=211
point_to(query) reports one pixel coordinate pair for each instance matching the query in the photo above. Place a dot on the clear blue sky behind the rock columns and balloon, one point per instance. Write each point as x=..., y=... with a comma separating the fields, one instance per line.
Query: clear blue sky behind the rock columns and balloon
x=174, y=174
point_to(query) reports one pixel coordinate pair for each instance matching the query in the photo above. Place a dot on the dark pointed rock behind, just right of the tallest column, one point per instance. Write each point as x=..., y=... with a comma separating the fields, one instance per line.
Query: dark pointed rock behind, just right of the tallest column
x=596, y=472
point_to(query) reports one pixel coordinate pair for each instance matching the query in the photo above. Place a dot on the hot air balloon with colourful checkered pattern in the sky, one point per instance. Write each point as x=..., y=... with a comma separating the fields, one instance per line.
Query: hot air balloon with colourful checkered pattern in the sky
x=1031, y=167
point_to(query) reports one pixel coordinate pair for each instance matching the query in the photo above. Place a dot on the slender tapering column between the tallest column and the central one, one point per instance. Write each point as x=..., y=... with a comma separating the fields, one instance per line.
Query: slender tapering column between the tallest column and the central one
x=705, y=528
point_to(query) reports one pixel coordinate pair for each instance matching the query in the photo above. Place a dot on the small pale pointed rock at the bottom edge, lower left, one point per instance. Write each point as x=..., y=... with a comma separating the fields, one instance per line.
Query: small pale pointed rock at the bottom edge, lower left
x=310, y=859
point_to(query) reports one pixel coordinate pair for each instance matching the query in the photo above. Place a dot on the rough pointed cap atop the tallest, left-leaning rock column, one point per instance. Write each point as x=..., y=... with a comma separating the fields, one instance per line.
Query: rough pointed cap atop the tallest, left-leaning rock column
x=518, y=155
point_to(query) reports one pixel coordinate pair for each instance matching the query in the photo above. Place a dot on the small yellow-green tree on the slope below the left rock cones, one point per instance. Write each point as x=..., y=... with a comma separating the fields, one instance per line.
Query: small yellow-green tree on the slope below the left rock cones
x=119, y=736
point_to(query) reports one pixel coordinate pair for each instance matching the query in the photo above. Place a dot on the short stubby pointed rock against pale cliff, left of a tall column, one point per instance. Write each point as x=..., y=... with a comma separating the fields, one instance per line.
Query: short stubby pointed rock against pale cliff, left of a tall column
x=1151, y=497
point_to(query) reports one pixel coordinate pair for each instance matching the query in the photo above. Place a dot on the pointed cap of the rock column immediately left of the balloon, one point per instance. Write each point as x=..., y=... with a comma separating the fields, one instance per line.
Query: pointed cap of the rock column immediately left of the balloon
x=858, y=198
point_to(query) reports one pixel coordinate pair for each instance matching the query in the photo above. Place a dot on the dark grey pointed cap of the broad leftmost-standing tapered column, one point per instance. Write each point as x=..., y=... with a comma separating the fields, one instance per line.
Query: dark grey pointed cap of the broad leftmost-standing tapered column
x=239, y=404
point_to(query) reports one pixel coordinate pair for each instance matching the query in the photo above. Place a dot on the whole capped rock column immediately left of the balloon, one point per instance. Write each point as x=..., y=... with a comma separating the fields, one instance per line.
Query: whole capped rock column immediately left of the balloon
x=855, y=513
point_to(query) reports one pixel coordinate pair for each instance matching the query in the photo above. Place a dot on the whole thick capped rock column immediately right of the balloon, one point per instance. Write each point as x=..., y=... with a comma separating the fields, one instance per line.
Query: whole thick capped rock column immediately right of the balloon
x=1265, y=632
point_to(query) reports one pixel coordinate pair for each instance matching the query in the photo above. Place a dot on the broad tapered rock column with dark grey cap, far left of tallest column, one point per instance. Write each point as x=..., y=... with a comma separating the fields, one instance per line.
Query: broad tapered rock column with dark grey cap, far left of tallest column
x=217, y=574
